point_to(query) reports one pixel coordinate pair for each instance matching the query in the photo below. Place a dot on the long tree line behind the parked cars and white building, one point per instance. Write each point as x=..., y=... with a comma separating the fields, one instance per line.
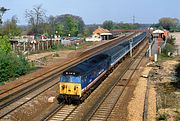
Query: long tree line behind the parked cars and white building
x=63, y=25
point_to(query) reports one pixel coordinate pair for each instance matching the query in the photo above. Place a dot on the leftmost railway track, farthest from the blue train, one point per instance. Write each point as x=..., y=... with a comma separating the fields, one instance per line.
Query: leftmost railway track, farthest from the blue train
x=85, y=55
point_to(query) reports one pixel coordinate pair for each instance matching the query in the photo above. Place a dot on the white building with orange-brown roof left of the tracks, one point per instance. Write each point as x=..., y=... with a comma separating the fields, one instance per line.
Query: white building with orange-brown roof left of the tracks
x=100, y=34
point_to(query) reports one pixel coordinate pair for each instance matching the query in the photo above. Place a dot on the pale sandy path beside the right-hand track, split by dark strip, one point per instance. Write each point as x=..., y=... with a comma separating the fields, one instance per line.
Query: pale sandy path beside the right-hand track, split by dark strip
x=136, y=105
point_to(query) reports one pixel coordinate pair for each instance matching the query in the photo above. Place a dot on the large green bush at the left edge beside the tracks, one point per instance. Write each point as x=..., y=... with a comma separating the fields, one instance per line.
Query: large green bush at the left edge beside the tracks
x=11, y=65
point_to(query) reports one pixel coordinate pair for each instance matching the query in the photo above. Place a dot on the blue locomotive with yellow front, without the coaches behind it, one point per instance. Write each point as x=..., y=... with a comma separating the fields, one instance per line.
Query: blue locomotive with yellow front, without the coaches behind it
x=78, y=79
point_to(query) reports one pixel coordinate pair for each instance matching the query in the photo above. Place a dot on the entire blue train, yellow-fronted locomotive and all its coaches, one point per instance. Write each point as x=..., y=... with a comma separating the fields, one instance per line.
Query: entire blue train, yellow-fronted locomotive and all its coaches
x=75, y=81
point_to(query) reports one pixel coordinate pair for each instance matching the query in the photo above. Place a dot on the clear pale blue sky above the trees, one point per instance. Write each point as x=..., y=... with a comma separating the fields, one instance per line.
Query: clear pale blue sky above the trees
x=97, y=11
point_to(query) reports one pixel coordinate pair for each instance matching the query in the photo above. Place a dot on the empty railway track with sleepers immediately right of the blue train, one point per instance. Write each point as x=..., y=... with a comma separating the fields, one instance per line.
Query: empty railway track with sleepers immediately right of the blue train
x=105, y=109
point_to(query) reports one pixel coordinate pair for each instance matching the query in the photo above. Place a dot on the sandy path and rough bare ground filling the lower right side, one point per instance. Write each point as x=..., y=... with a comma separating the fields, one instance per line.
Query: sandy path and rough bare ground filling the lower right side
x=164, y=93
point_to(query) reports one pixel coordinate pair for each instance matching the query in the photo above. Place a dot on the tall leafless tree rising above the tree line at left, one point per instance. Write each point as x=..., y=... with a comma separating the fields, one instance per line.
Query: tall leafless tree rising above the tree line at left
x=36, y=17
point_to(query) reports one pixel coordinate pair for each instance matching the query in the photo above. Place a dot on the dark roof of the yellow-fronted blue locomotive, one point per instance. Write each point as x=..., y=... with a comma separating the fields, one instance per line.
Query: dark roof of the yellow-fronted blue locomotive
x=86, y=65
